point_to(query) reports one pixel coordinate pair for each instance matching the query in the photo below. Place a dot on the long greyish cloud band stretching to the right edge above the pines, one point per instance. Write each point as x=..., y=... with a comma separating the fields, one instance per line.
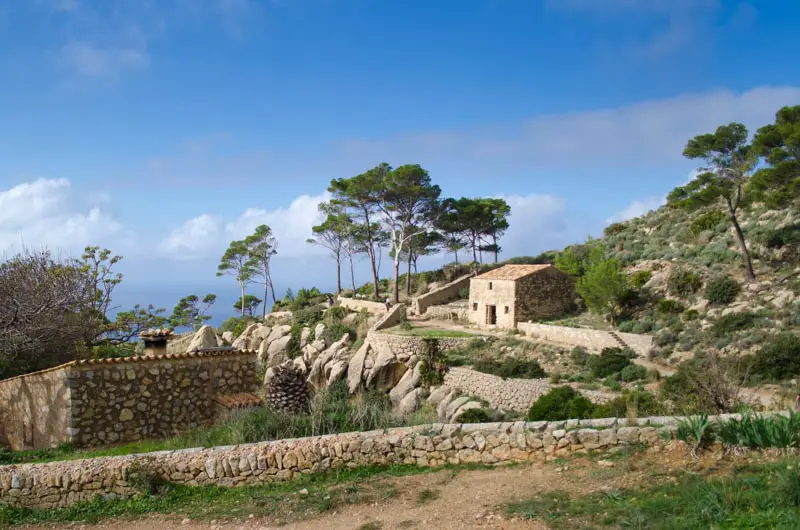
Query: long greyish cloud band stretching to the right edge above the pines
x=646, y=134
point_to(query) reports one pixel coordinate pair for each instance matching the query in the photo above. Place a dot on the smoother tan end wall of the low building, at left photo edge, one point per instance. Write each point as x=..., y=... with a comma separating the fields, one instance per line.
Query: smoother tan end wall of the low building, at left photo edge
x=34, y=410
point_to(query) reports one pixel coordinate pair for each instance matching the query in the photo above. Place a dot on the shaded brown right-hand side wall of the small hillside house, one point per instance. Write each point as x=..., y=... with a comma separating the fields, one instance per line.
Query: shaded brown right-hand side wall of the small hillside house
x=547, y=293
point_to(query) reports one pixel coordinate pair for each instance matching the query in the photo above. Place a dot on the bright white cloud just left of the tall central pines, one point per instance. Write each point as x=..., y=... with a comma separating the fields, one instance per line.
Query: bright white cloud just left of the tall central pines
x=208, y=235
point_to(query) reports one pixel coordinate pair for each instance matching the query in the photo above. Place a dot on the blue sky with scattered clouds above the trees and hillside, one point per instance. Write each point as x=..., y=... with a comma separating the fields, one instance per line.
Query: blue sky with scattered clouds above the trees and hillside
x=164, y=129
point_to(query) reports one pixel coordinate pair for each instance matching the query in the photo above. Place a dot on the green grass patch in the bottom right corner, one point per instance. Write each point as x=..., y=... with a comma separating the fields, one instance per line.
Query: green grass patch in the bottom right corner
x=758, y=496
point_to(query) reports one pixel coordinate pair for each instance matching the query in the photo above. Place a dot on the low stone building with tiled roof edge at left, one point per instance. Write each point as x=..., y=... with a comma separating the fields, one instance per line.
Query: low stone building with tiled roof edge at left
x=108, y=401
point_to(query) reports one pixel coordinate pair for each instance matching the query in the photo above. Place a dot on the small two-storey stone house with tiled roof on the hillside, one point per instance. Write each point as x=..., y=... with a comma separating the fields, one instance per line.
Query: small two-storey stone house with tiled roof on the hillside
x=503, y=297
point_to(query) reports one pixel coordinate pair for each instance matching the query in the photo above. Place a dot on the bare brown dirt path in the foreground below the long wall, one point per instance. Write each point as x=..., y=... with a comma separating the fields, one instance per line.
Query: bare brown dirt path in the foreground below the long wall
x=443, y=500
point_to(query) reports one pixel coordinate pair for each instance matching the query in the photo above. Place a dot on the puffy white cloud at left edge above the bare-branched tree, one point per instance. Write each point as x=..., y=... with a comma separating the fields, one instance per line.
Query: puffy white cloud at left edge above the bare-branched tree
x=46, y=212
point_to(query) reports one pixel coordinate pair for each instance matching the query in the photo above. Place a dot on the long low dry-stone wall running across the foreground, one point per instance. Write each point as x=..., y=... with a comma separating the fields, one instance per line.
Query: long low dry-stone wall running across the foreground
x=59, y=484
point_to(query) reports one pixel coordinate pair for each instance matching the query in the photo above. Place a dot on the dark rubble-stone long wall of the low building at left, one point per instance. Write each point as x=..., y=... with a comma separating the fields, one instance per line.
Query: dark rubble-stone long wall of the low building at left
x=139, y=398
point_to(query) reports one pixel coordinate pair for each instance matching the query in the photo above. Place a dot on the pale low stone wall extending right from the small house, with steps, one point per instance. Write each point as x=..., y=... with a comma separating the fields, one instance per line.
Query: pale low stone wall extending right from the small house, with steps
x=591, y=339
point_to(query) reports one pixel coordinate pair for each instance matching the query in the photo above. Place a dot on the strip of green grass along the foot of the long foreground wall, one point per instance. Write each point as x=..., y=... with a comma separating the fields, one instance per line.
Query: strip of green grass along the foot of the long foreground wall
x=281, y=502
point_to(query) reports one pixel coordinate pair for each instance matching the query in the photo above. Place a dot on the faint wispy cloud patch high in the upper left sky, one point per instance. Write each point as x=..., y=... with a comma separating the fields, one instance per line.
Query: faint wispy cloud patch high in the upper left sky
x=94, y=61
